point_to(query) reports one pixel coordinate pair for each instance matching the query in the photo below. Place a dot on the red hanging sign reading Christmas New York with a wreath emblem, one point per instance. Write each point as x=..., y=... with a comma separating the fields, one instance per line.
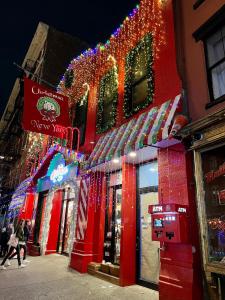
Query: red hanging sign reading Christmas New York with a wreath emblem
x=45, y=111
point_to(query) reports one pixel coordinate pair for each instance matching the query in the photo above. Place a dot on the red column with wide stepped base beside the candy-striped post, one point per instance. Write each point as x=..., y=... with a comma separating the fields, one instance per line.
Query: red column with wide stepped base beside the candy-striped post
x=91, y=247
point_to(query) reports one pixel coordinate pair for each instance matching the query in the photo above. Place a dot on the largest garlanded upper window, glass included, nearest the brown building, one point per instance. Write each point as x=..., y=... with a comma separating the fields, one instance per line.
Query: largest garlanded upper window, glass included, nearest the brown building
x=139, y=78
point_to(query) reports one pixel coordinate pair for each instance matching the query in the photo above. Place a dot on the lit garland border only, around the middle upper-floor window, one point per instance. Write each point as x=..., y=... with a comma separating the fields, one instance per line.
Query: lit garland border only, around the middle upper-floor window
x=100, y=126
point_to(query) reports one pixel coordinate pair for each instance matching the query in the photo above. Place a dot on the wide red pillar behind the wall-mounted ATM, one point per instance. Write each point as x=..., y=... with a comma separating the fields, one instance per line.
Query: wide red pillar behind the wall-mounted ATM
x=179, y=269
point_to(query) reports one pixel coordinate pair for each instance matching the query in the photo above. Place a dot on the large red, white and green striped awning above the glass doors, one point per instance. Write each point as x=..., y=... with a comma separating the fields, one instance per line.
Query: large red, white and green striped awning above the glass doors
x=148, y=129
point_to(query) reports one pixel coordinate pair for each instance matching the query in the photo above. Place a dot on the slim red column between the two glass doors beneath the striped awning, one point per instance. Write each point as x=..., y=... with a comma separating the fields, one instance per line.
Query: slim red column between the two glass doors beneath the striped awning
x=128, y=226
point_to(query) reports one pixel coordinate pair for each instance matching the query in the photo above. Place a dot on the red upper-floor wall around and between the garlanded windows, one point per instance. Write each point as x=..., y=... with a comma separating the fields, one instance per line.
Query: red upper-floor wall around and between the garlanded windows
x=167, y=81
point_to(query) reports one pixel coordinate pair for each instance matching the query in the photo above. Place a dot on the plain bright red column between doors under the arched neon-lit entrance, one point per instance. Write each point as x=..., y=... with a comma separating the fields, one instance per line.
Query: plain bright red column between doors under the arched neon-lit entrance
x=54, y=222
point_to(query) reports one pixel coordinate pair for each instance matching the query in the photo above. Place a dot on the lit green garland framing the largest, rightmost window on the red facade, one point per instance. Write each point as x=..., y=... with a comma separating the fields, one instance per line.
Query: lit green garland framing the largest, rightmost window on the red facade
x=129, y=110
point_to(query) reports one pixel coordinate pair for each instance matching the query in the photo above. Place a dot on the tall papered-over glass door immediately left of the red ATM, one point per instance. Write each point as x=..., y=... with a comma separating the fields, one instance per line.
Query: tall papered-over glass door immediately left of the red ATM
x=148, y=255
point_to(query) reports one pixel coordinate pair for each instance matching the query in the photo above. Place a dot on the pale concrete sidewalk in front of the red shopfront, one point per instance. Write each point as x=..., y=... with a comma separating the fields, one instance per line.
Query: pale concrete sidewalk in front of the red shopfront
x=47, y=277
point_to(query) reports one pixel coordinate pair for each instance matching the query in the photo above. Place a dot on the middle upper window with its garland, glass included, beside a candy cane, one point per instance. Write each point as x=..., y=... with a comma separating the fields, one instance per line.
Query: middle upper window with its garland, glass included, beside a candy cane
x=107, y=103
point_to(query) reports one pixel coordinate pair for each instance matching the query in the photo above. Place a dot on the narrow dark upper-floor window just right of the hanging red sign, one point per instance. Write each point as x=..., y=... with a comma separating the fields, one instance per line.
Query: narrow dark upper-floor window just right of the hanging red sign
x=80, y=120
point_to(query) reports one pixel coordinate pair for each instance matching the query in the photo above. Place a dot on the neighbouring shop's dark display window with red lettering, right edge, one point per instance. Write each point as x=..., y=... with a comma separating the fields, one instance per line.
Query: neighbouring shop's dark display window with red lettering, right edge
x=213, y=164
